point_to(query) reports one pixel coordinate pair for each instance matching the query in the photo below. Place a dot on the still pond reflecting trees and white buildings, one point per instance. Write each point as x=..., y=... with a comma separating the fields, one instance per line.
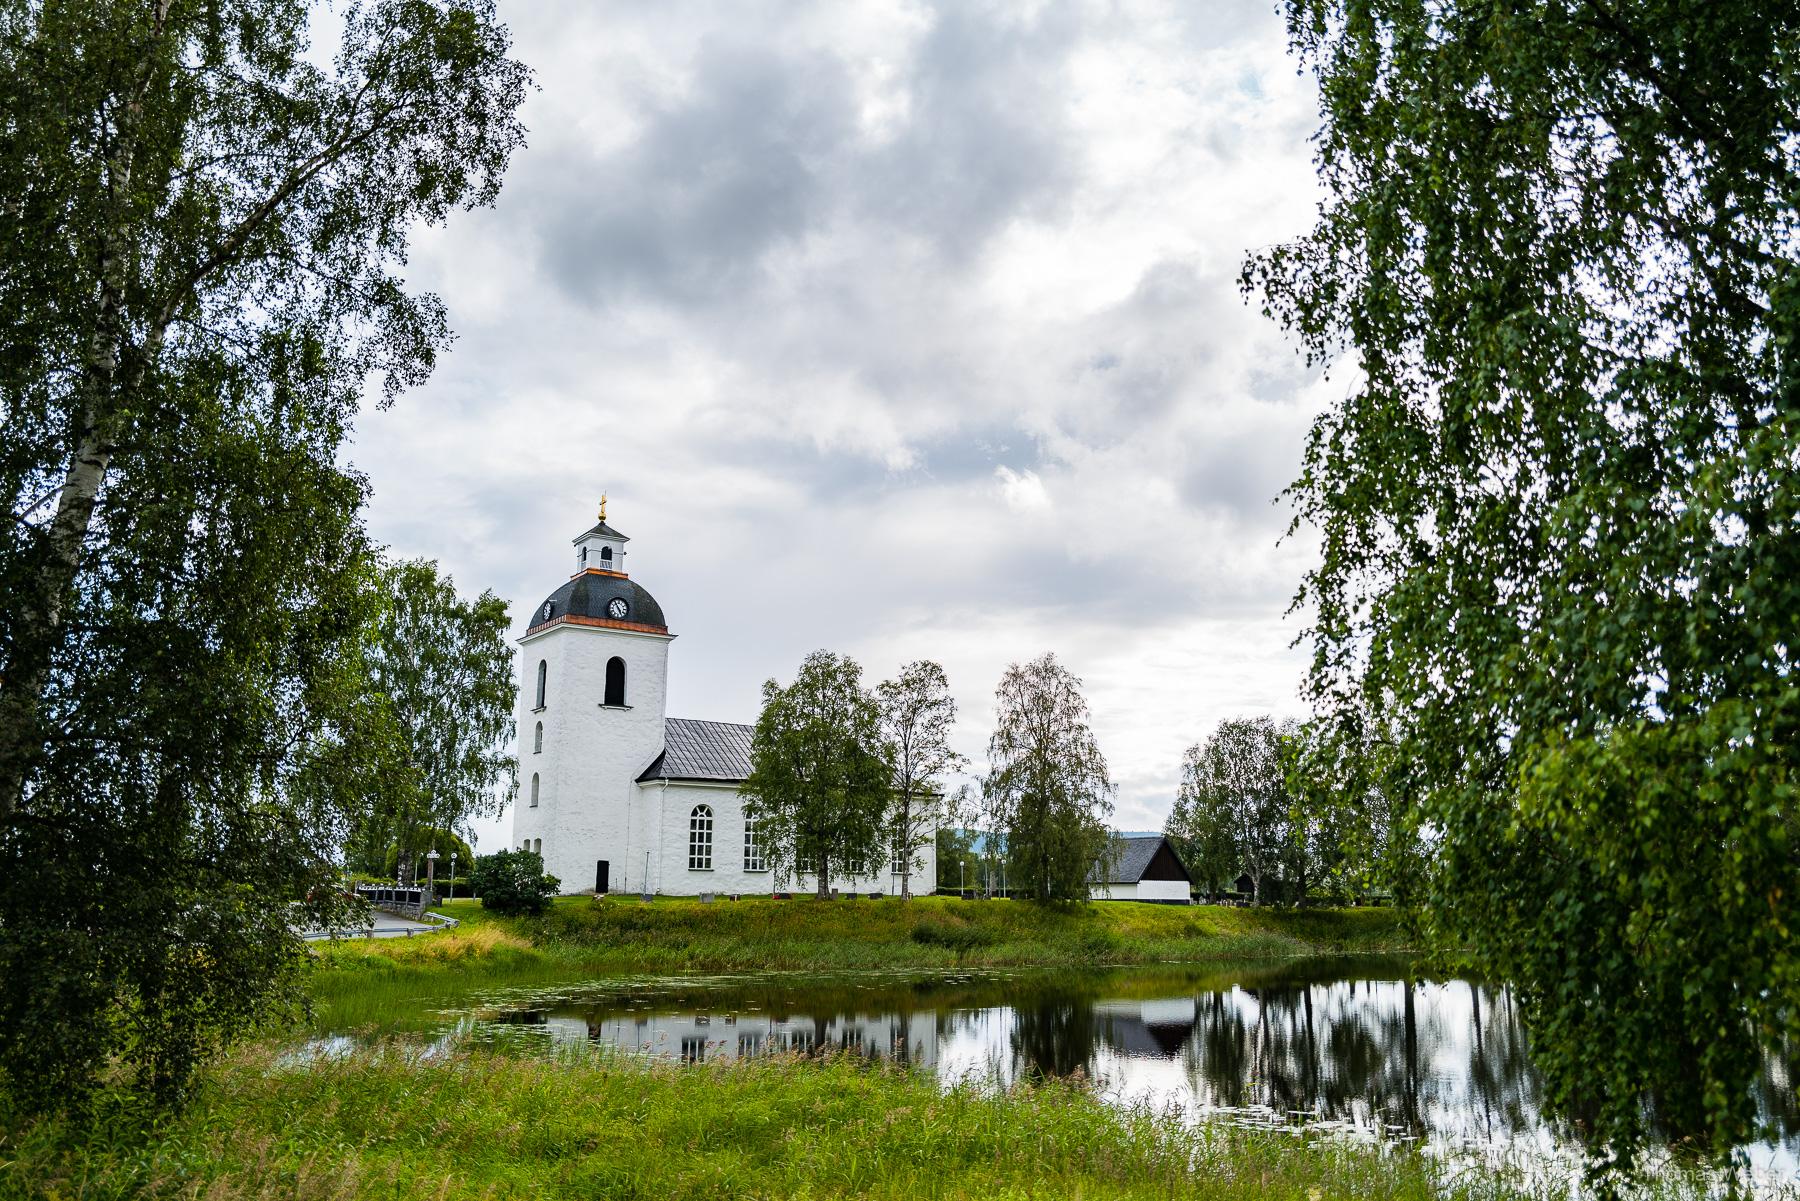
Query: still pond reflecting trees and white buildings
x=1349, y=1043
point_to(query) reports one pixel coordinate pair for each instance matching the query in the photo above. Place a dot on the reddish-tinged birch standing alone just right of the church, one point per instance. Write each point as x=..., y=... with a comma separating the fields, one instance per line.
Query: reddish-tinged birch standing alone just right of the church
x=1048, y=788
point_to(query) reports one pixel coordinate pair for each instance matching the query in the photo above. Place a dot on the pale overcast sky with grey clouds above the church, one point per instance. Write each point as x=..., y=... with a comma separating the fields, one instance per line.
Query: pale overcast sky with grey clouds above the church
x=897, y=330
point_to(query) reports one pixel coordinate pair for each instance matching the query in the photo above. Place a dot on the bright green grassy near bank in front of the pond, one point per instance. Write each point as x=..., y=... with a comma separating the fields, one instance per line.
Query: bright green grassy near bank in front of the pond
x=496, y=1126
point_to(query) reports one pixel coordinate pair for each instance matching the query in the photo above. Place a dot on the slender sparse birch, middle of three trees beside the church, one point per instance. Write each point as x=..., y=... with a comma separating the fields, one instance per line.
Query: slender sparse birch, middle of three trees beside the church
x=917, y=721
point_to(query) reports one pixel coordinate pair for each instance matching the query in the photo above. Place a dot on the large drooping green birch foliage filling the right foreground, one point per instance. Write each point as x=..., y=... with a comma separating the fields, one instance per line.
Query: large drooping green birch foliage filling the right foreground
x=1561, y=573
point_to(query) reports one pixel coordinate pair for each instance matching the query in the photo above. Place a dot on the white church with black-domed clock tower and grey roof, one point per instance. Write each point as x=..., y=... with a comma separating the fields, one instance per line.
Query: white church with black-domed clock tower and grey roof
x=616, y=795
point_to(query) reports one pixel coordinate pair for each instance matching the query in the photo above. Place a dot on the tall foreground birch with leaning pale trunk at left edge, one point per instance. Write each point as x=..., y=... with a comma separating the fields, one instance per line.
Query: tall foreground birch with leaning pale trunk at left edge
x=202, y=237
